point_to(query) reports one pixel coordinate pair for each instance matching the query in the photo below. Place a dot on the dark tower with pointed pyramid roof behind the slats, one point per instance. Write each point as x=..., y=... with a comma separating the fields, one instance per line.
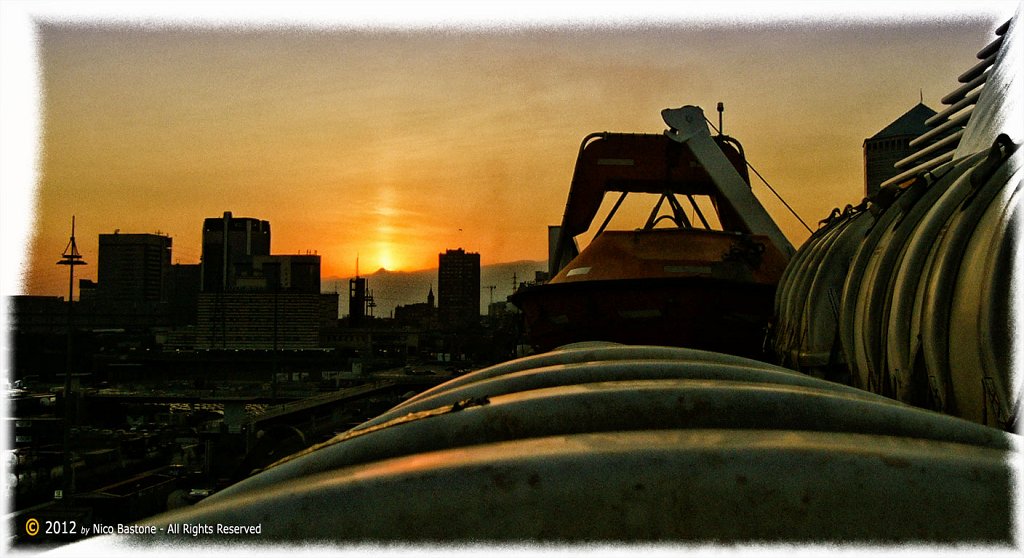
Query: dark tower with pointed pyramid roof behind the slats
x=883, y=150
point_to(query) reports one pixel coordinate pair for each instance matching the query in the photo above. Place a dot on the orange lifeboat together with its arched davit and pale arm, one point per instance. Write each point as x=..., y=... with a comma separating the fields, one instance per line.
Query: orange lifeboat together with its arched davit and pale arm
x=706, y=281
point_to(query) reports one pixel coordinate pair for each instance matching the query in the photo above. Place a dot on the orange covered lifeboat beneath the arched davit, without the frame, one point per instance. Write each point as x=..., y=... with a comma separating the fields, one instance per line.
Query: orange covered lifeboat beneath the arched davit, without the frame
x=703, y=290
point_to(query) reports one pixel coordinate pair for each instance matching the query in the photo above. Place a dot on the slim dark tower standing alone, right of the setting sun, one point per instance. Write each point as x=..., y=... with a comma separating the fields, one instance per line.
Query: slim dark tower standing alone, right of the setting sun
x=458, y=289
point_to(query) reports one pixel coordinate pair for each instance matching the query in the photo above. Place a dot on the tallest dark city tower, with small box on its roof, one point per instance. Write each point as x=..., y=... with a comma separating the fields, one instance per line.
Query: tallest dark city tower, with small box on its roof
x=229, y=245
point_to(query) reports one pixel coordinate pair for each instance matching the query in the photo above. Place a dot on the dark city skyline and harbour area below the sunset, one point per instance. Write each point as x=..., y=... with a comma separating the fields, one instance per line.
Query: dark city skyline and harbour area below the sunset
x=164, y=382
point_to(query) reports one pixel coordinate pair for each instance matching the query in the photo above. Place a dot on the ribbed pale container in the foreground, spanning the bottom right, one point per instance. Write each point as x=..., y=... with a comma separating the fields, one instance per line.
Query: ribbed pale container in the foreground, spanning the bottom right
x=602, y=442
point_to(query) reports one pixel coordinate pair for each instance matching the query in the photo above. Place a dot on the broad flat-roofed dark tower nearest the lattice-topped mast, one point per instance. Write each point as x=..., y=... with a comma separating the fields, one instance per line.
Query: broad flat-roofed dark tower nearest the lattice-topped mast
x=134, y=272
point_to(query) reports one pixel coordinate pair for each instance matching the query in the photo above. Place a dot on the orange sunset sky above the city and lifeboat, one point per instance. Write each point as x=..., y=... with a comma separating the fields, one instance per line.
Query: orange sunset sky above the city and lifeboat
x=396, y=139
